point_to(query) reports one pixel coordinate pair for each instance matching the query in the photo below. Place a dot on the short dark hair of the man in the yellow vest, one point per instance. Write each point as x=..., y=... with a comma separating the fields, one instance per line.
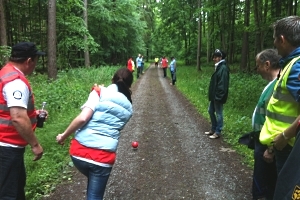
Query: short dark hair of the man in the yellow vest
x=289, y=27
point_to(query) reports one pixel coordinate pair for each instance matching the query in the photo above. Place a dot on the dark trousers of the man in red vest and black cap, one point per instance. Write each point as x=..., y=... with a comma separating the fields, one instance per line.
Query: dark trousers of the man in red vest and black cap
x=12, y=173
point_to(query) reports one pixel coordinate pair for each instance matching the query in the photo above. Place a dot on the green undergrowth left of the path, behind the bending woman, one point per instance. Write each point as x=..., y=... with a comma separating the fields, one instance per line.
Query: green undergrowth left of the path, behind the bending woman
x=64, y=97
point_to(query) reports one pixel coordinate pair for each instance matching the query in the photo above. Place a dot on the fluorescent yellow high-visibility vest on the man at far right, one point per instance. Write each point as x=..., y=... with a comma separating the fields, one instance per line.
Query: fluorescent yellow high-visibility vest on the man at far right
x=282, y=109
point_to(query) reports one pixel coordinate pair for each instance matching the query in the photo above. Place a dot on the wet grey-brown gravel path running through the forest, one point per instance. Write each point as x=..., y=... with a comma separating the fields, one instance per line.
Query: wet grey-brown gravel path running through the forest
x=174, y=160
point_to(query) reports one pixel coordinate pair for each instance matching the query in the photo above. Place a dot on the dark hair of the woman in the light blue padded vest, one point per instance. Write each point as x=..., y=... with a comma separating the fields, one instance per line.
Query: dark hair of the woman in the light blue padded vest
x=123, y=78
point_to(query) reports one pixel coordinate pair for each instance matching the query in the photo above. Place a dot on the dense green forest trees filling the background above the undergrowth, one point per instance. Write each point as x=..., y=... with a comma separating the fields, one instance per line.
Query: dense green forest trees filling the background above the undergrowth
x=78, y=33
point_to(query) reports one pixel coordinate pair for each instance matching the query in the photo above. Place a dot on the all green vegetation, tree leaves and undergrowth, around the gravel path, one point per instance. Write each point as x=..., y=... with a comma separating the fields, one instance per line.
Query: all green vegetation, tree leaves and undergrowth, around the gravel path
x=122, y=28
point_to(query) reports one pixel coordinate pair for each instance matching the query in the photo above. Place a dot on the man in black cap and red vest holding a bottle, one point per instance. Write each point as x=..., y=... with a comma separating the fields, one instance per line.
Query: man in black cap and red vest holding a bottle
x=17, y=120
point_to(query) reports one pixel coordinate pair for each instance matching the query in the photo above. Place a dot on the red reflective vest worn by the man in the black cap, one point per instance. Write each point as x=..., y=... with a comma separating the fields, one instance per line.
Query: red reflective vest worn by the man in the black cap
x=8, y=133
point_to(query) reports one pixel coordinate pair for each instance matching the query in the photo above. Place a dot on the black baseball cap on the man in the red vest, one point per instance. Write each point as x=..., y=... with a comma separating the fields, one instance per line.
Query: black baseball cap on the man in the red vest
x=25, y=50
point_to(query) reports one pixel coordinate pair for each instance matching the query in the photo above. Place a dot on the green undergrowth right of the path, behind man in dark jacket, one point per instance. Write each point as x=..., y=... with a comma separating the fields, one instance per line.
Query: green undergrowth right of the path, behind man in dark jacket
x=244, y=92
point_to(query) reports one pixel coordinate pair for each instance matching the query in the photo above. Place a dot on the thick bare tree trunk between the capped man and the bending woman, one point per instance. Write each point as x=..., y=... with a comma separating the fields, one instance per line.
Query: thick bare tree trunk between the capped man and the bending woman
x=52, y=70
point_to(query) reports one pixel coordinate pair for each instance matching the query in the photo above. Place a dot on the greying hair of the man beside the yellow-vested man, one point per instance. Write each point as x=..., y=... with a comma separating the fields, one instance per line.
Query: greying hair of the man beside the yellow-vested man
x=269, y=55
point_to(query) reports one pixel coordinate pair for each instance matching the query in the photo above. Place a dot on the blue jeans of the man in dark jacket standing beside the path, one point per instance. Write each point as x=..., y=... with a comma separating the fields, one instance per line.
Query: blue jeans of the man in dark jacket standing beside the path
x=215, y=111
